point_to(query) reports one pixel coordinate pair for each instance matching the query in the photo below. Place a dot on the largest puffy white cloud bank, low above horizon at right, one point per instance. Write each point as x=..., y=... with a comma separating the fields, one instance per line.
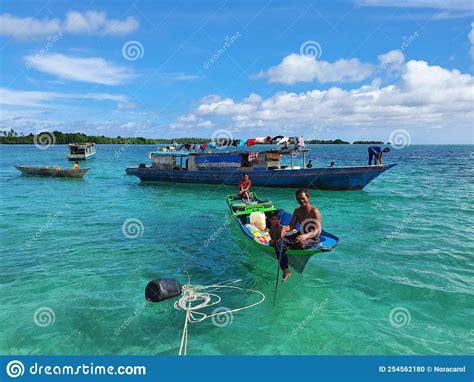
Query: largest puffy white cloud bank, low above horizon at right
x=423, y=96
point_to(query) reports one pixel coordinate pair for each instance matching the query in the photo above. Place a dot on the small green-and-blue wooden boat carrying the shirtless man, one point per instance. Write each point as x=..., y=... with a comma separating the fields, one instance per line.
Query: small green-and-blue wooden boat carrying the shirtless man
x=297, y=258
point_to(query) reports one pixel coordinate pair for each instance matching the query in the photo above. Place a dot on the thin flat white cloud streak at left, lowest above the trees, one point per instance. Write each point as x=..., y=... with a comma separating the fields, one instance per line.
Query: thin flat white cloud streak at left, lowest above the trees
x=40, y=99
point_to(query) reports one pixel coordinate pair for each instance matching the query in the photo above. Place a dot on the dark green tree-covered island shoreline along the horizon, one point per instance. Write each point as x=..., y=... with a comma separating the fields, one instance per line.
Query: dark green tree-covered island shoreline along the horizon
x=12, y=137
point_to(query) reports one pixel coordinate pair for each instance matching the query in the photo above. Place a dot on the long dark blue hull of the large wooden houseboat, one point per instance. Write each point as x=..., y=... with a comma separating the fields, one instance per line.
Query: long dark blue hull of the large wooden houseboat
x=324, y=178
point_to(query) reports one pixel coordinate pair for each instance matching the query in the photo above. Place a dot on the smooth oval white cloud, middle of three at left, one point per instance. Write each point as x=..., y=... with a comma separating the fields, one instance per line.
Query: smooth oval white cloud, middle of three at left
x=92, y=69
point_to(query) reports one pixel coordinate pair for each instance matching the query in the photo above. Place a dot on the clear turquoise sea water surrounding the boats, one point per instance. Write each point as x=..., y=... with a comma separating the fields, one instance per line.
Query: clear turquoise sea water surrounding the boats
x=400, y=282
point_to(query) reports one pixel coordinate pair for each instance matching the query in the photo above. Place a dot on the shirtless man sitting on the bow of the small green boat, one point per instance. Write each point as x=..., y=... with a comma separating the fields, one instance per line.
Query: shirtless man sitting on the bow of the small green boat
x=309, y=219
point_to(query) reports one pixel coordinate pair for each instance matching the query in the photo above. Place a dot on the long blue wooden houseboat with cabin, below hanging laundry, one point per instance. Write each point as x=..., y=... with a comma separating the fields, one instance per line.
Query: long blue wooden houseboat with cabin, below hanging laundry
x=265, y=169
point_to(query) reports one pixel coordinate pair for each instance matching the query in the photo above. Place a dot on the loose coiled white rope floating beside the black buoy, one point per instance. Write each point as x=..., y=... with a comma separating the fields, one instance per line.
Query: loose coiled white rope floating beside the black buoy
x=197, y=297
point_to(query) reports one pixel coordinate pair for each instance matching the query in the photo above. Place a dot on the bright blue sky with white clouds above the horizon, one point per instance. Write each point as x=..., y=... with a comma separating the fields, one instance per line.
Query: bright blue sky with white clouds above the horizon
x=360, y=69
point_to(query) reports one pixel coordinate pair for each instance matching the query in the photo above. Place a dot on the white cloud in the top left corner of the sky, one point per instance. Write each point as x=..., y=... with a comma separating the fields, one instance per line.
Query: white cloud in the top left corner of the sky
x=90, y=22
